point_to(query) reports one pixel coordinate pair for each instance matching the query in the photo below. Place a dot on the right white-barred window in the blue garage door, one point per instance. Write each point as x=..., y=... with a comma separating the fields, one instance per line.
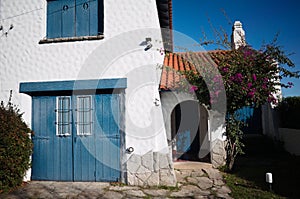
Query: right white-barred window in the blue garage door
x=78, y=116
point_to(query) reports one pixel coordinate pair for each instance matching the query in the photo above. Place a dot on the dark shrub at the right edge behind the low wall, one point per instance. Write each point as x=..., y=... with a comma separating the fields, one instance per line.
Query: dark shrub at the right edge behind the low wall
x=289, y=112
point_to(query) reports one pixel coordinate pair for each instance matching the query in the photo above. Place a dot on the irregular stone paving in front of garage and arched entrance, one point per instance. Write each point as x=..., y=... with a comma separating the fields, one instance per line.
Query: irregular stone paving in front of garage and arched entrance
x=195, y=180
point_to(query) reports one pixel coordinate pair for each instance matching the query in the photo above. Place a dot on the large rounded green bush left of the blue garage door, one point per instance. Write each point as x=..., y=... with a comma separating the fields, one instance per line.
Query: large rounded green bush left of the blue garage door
x=15, y=147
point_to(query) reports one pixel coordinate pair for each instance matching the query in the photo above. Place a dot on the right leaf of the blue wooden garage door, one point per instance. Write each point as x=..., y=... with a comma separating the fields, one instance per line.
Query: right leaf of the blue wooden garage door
x=97, y=154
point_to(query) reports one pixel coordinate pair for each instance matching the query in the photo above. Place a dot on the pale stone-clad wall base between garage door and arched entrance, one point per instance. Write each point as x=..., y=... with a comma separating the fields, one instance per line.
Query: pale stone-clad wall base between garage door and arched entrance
x=151, y=169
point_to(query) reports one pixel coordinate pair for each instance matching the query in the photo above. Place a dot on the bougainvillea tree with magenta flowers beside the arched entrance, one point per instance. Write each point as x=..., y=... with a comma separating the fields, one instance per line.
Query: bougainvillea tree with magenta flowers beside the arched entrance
x=250, y=78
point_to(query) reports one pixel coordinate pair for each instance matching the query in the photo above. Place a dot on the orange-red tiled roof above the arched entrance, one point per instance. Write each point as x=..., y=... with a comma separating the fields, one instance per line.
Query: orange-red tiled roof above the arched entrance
x=175, y=62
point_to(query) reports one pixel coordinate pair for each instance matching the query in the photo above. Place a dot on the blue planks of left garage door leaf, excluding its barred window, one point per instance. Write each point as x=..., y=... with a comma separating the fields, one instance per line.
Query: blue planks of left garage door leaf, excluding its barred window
x=52, y=154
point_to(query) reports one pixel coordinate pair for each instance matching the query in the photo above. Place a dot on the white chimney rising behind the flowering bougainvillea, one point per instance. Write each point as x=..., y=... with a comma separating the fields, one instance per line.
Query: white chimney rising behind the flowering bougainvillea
x=238, y=36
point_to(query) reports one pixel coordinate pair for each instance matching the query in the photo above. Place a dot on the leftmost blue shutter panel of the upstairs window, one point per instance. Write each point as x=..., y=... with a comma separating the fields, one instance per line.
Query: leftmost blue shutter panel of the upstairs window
x=54, y=19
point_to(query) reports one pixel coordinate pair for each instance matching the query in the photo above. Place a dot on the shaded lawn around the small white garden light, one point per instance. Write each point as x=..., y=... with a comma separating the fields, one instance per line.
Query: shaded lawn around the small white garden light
x=247, y=180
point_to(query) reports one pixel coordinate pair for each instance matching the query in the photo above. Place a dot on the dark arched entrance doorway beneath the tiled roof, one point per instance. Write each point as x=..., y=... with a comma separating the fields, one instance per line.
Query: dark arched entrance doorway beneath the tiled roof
x=189, y=129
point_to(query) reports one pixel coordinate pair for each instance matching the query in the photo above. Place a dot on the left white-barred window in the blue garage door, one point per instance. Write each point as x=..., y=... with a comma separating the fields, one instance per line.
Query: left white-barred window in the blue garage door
x=59, y=118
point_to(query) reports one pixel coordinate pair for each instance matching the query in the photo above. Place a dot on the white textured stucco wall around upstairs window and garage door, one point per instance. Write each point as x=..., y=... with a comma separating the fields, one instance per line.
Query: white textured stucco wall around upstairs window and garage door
x=119, y=54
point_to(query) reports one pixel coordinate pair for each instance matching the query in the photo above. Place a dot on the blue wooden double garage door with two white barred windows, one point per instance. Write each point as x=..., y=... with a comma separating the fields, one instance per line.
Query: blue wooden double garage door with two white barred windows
x=77, y=156
